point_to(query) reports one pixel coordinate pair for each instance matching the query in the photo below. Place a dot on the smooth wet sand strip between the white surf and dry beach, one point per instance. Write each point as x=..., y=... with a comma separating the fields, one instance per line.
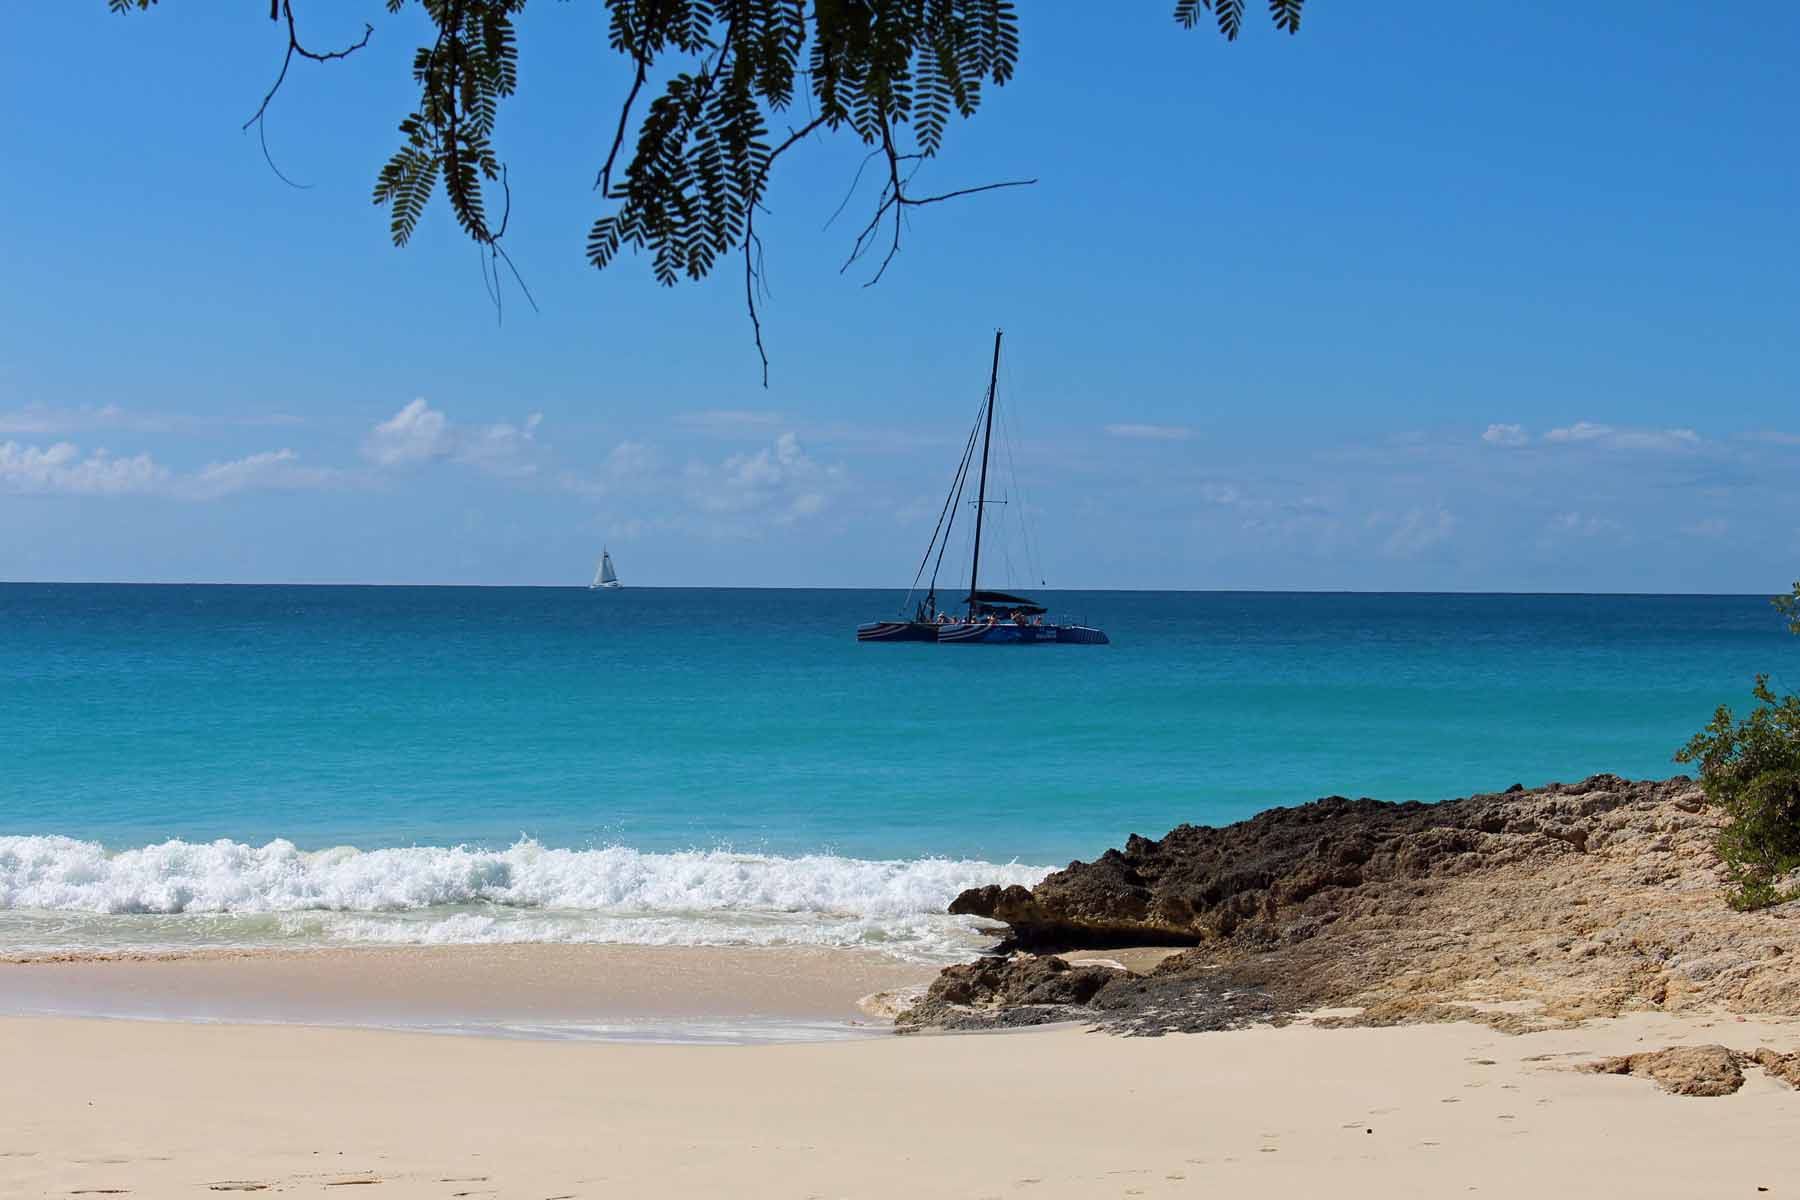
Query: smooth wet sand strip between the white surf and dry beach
x=625, y=992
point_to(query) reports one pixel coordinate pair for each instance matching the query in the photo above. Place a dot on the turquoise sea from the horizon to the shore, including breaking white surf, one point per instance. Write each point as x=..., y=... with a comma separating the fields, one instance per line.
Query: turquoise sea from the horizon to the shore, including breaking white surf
x=314, y=764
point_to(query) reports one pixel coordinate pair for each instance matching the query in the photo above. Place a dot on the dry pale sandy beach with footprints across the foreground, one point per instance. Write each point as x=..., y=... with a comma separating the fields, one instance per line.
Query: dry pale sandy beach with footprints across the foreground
x=163, y=1109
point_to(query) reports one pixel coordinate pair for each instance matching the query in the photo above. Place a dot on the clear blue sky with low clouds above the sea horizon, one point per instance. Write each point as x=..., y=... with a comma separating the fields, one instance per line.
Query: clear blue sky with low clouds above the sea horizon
x=1495, y=296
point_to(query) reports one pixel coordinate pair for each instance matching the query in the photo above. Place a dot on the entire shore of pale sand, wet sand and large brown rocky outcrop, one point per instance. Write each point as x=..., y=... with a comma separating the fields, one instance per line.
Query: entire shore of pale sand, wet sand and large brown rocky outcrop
x=1513, y=994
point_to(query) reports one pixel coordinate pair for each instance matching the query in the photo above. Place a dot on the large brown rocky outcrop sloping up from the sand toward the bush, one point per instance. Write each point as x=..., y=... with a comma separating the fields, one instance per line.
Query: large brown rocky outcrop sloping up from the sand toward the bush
x=1522, y=909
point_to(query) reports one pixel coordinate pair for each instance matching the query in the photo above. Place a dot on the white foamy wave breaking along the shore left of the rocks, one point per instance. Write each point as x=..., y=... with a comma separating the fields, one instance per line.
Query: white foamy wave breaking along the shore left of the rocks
x=528, y=893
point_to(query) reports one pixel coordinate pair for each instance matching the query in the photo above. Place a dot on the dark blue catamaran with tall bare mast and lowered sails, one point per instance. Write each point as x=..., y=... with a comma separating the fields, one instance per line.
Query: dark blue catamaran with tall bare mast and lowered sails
x=985, y=618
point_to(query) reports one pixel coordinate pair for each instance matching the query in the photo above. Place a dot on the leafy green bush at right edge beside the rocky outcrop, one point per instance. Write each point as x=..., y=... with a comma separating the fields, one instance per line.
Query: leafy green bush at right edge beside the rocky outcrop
x=1752, y=771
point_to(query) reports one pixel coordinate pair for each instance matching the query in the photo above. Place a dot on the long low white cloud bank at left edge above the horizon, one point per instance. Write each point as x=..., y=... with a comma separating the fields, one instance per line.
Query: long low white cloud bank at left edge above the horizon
x=62, y=469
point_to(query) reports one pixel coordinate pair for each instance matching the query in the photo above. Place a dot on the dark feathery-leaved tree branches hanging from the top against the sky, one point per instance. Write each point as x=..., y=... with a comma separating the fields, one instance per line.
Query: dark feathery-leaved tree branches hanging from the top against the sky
x=728, y=73
